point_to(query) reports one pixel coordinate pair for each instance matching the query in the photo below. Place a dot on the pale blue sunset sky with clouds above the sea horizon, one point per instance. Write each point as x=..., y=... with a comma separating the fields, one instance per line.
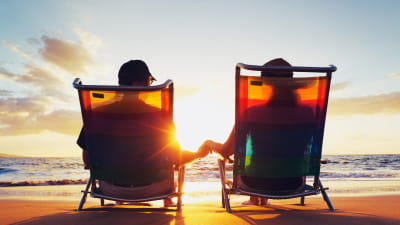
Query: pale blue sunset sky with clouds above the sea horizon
x=44, y=45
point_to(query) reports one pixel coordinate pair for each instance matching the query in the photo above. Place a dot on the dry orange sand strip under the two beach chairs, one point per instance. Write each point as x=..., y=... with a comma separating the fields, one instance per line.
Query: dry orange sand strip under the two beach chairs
x=350, y=210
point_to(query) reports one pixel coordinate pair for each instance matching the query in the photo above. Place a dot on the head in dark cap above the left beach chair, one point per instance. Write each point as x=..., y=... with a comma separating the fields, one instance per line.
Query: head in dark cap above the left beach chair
x=135, y=72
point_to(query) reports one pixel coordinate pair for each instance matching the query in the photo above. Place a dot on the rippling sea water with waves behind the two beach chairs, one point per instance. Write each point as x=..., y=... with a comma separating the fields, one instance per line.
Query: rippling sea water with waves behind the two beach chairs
x=63, y=171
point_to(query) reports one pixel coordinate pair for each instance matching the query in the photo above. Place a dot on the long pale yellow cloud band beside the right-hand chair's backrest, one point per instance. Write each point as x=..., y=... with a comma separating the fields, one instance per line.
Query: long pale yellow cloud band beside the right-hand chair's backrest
x=376, y=104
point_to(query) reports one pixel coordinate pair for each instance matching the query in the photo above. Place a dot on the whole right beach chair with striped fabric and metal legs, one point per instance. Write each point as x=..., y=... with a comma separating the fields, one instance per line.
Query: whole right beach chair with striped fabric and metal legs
x=278, y=134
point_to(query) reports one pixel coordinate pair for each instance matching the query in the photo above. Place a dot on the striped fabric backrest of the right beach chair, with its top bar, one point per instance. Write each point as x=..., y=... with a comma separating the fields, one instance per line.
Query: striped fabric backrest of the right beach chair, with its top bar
x=280, y=122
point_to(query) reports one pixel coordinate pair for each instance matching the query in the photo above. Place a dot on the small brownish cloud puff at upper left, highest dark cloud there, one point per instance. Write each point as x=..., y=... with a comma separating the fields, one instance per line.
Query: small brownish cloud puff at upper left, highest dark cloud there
x=67, y=55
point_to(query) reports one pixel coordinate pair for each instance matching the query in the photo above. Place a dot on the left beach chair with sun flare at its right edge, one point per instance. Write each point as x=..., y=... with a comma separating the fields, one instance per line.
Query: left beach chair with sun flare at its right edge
x=129, y=133
